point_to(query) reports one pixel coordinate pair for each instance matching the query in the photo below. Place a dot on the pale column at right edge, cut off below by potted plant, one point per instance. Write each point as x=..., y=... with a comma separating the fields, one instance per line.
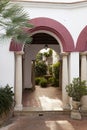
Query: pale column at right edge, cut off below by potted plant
x=83, y=66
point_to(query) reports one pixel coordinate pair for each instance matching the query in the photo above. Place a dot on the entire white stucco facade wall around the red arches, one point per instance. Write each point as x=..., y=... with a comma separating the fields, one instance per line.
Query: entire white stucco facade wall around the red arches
x=72, y=16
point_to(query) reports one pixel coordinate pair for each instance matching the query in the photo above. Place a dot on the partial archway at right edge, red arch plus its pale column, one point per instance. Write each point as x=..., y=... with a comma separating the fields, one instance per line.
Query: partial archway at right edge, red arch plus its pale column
x=81, y=47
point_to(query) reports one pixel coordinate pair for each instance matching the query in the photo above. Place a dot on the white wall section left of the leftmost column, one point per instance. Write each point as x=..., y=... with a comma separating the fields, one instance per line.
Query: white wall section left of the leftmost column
x=6, y=64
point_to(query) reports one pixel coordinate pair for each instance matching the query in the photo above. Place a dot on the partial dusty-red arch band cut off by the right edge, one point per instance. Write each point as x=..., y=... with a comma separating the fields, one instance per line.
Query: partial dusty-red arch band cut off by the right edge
x=82, y=41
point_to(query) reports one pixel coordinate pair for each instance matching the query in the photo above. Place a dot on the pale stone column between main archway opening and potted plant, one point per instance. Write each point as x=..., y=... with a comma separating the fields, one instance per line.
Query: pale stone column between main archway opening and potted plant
x=65, y=82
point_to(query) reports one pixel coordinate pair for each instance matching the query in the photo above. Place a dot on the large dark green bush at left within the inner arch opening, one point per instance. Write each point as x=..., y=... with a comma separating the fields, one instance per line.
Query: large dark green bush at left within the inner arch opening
x=40, y=69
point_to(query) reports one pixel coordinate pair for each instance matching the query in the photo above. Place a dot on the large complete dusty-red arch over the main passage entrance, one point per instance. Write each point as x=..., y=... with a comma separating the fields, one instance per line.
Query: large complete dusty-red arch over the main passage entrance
x=53, y=26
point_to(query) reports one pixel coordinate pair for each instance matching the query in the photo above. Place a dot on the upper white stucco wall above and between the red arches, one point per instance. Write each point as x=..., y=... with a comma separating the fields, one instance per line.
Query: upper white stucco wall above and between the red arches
x=71, y=16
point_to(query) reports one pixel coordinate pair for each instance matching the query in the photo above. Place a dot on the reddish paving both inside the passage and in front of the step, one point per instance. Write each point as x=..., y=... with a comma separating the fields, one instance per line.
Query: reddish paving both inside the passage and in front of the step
x=45, y=121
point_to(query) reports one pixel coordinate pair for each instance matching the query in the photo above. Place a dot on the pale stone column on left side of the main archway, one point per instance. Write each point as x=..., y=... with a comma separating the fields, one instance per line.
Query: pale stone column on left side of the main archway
x=18, y=80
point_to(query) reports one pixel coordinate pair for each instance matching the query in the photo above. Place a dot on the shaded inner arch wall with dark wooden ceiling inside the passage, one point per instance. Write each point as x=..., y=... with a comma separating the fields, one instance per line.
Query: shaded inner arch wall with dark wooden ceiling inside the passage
x=30, y=51
